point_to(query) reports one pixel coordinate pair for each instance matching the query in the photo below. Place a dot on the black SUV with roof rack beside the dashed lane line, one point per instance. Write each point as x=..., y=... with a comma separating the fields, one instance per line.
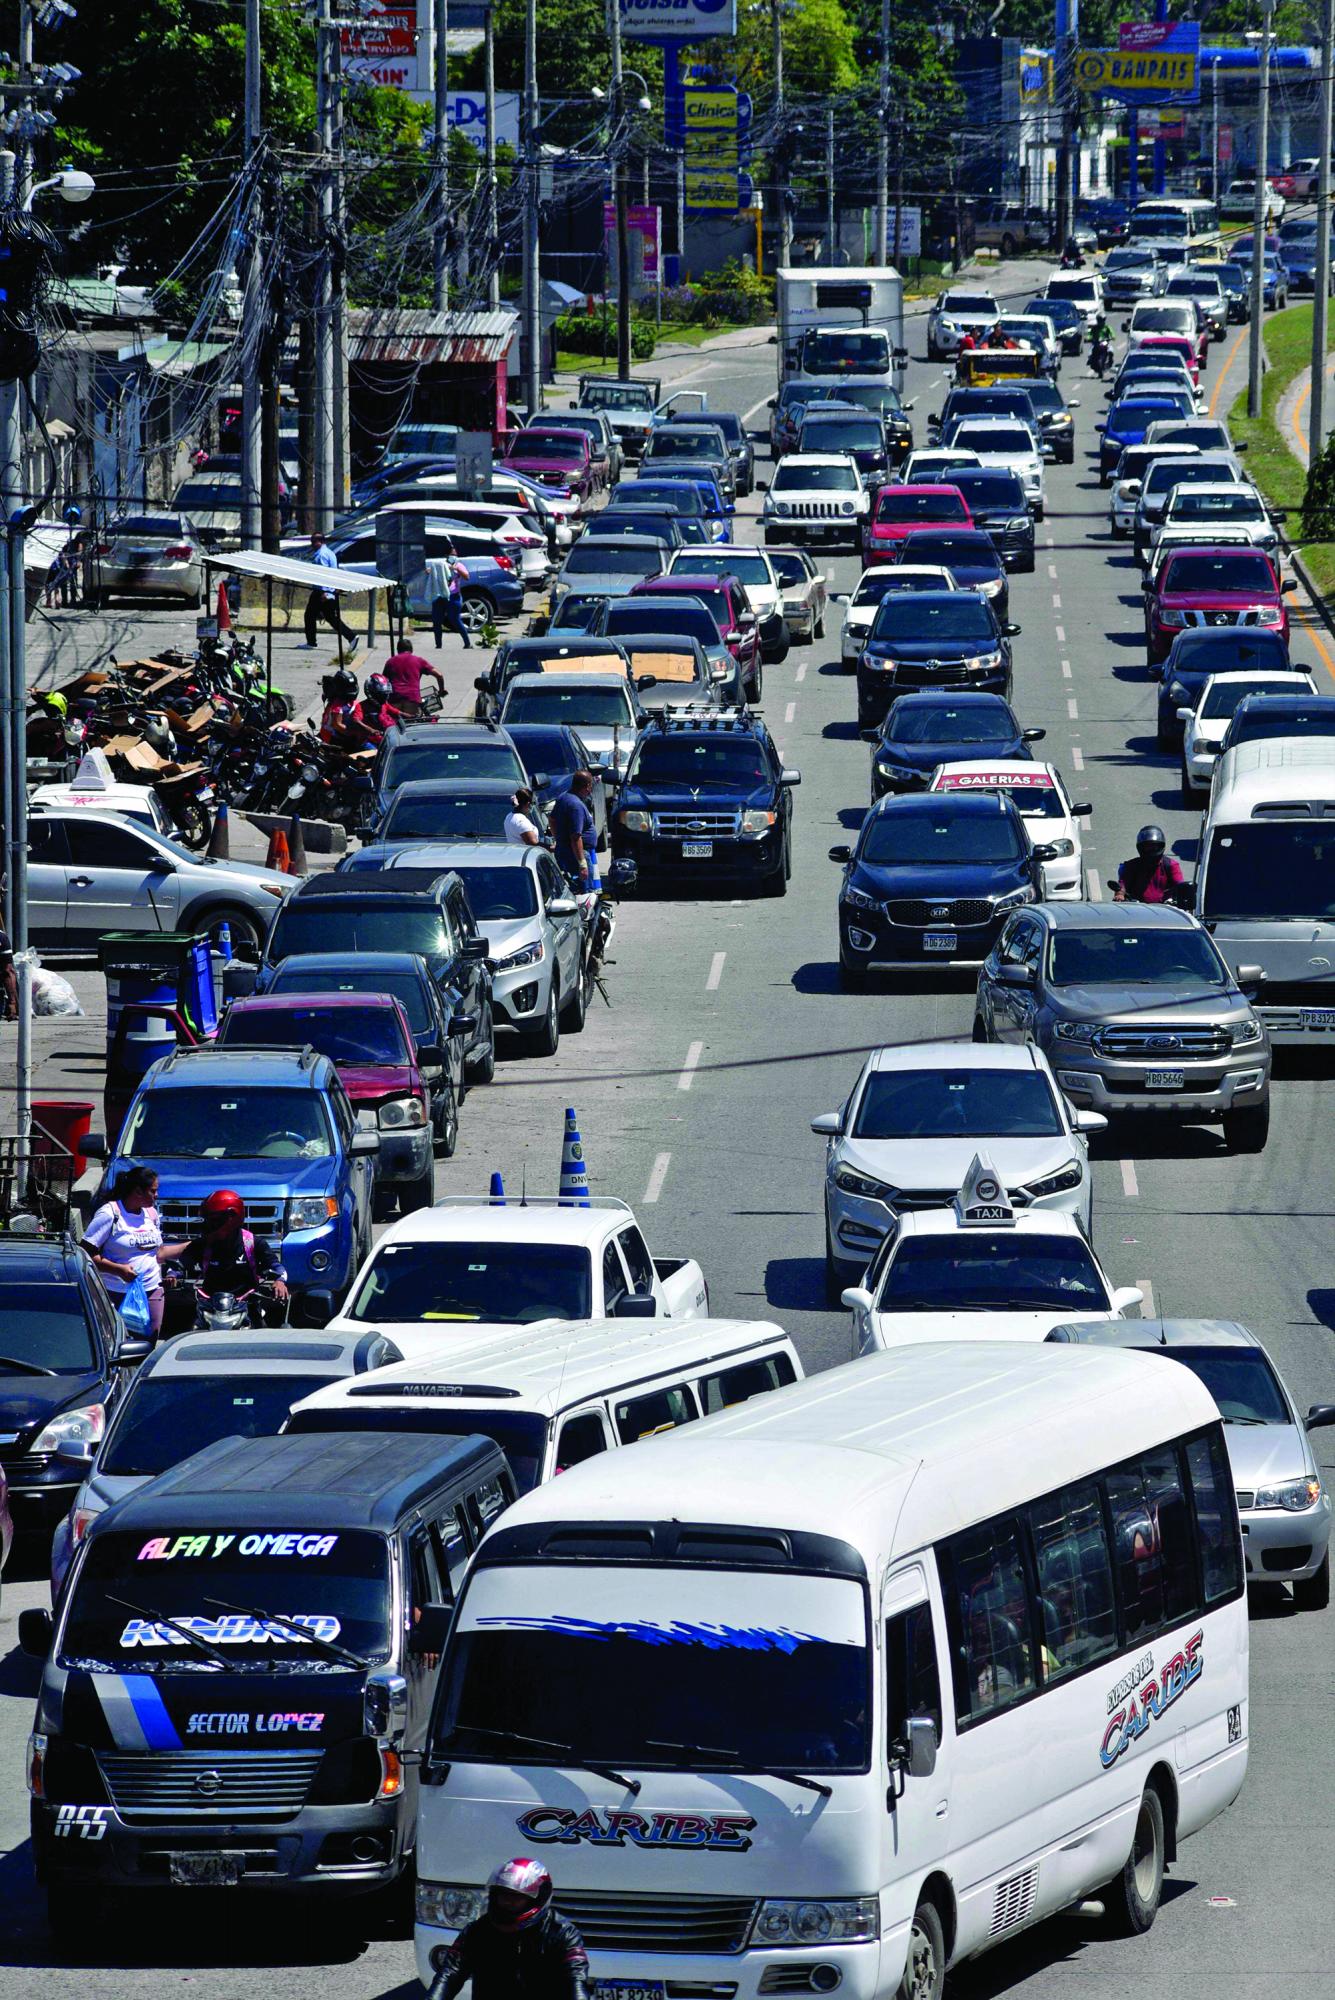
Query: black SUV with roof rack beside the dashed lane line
x=706, y=797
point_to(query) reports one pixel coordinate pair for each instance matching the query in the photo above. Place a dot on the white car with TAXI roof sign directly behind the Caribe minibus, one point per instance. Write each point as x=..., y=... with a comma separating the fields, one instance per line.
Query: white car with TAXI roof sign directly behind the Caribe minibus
x=980, y=1271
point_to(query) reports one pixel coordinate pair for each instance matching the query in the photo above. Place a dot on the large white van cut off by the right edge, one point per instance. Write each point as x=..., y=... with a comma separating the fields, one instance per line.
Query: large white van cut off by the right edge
x=1266, y=881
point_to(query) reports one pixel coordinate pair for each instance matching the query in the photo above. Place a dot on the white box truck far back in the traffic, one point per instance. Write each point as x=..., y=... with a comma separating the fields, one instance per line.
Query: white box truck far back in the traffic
x=842, y=325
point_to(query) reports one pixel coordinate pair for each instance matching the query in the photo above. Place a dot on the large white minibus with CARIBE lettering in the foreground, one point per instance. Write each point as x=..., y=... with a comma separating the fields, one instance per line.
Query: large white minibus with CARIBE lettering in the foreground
x=850, y=1685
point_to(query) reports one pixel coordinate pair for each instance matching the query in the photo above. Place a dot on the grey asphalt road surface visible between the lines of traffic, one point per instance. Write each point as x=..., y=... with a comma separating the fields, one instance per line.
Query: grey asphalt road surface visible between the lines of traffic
x=694, y=1091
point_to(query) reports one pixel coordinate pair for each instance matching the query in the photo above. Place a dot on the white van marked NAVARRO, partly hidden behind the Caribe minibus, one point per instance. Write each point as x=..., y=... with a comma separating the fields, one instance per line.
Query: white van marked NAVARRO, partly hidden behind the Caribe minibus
x=563, y=1393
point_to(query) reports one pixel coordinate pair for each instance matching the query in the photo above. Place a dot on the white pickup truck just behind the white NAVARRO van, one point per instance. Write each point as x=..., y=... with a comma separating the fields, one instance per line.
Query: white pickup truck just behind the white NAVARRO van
x=473, y=1267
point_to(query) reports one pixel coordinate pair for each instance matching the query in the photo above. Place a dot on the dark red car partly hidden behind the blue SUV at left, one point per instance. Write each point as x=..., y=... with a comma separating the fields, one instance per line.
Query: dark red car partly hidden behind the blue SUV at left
x=373, y=1049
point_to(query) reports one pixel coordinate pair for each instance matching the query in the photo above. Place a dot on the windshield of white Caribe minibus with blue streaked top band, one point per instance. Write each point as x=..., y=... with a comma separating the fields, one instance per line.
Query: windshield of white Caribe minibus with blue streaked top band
x=641, y=1663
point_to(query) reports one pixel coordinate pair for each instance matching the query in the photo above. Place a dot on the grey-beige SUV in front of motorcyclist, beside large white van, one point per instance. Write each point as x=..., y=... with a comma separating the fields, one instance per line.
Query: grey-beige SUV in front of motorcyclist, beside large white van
x=1134, y=1009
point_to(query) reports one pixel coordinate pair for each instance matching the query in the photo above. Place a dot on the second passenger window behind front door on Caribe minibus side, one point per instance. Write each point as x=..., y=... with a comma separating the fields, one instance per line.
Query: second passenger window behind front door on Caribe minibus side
x=1078, y=1613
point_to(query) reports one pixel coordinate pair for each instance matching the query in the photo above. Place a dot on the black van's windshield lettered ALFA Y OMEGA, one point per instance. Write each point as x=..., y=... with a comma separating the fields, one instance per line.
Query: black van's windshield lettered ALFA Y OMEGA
x=229, y=1587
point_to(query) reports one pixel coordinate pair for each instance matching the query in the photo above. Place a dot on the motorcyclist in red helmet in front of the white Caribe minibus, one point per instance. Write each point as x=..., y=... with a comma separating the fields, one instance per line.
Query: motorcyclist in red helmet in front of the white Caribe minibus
x=521, y=1949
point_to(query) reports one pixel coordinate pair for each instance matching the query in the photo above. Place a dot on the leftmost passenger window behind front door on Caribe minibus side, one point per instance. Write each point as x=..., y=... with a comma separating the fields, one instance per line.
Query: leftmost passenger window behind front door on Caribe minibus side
x=988, y=1609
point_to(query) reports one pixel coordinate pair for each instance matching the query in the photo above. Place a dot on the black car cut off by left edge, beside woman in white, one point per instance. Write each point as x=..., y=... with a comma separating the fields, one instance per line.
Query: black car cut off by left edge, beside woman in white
x=63, y=1355
